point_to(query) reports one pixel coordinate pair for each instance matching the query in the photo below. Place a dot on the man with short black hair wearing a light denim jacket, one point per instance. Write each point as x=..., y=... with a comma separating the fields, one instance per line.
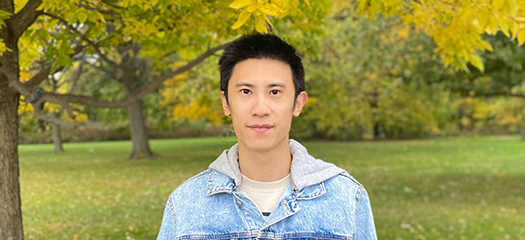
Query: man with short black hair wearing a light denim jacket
x=266, y=186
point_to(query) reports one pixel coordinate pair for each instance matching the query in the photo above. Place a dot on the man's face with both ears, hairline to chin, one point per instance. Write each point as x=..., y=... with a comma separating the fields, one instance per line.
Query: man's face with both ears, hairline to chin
x=261, y=98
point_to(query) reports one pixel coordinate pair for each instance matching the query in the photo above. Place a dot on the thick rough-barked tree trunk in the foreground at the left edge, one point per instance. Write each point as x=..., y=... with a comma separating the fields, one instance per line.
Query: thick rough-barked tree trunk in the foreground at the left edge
x=10, y=204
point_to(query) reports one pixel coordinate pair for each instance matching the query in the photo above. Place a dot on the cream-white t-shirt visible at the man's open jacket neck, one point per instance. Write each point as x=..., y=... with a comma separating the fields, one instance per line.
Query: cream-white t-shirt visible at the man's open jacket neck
x=265, y=195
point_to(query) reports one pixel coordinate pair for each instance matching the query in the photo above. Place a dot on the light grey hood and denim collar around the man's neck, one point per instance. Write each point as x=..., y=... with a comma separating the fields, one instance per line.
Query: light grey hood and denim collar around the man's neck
x=305, y=171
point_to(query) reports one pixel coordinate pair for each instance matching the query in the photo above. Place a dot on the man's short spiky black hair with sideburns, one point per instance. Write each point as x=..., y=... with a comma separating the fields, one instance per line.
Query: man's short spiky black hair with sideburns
x=260, y=46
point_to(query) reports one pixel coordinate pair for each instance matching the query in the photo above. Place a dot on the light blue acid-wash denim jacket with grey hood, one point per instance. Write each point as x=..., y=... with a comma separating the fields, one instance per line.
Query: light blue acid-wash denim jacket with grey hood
x=322, y=202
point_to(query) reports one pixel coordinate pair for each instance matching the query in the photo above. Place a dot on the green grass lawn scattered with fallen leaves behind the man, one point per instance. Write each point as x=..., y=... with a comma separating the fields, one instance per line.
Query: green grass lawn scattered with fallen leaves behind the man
x=452, y=188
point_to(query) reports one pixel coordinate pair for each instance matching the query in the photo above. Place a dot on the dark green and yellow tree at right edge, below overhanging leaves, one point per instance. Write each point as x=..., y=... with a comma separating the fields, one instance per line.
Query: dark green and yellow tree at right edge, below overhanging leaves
x=481, y=91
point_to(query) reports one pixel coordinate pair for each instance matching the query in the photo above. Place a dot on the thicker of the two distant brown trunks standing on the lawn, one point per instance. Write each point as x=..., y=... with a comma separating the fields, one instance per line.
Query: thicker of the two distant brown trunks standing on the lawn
x=139, y=137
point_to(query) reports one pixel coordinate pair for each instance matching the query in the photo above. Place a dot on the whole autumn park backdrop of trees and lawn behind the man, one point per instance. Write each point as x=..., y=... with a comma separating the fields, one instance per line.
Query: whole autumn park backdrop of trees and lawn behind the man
x=422, y=102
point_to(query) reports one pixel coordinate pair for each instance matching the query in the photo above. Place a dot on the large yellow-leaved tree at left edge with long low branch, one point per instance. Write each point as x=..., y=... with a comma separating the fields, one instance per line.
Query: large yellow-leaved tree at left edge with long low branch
x=74, y=26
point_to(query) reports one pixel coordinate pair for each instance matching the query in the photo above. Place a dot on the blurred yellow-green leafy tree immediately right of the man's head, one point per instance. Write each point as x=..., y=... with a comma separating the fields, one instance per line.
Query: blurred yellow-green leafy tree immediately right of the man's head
x=369, y=80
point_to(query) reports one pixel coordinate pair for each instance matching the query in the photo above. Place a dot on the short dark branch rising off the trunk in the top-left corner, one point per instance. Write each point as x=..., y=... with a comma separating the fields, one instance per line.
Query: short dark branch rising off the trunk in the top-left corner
x=23, y=19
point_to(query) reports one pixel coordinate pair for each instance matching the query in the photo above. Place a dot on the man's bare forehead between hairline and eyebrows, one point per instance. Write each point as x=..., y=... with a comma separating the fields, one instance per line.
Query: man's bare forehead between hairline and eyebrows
x=261, y=71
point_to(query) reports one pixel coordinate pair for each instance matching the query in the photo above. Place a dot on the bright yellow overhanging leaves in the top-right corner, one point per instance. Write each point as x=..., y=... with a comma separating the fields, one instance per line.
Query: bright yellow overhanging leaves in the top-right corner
x=457, y=27
